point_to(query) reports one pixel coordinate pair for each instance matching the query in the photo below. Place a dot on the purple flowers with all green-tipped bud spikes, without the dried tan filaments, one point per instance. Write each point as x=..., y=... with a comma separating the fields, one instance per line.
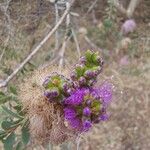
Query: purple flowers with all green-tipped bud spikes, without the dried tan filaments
x=83, y=104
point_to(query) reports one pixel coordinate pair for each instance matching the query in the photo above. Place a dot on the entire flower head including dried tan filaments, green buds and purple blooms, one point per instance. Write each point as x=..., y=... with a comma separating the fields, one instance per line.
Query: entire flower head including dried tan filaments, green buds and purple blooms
x=60, y=107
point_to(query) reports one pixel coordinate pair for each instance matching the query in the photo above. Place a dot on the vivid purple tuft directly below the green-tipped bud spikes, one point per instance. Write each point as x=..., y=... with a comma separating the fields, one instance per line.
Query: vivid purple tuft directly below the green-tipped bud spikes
x=76, y=98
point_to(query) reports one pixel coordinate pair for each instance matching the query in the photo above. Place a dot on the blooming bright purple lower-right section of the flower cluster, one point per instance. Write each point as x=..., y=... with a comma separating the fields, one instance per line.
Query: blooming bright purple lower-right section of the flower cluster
x=87, y=106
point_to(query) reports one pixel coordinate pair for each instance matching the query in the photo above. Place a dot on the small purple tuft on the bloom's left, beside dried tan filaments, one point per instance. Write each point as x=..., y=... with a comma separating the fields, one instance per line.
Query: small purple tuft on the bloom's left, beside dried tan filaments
x=69, y=113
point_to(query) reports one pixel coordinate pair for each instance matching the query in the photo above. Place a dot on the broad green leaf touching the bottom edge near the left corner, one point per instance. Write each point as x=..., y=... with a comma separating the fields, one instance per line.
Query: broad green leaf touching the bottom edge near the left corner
x=9, y=142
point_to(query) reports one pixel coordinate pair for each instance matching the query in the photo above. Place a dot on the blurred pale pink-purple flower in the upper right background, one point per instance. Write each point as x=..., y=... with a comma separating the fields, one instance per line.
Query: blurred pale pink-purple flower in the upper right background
x=128, y=26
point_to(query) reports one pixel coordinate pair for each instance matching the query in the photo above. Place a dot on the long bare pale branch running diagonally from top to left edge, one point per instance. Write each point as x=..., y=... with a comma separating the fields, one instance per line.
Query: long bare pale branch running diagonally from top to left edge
x=37, y=48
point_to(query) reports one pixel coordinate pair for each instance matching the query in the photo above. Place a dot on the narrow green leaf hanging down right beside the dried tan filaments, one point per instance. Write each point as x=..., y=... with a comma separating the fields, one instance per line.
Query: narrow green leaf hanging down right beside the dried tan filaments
x=25, y=135
